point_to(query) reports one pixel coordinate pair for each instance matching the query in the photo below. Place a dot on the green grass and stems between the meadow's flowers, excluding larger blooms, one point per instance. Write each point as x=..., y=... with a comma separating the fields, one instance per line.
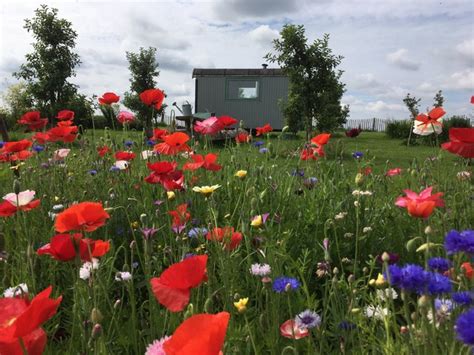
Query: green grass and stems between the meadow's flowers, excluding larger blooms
x=335, y=282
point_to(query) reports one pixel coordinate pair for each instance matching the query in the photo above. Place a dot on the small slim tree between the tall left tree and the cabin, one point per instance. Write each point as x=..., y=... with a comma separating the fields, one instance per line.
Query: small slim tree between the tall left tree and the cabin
x=143, y=69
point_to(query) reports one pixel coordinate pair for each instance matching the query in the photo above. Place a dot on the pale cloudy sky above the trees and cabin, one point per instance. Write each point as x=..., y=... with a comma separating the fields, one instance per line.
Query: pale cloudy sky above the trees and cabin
x=390, y=47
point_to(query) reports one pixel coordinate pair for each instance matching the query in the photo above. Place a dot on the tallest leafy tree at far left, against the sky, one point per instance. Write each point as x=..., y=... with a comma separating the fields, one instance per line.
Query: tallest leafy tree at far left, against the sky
x=52, y=62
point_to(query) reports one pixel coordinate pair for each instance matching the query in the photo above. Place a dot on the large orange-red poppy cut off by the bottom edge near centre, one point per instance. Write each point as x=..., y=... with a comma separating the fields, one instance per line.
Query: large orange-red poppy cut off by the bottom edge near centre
x=202, y=334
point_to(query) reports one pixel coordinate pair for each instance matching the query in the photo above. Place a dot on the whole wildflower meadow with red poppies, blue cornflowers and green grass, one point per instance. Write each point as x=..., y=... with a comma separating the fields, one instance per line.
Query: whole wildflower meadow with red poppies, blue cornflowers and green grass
x=113, y=242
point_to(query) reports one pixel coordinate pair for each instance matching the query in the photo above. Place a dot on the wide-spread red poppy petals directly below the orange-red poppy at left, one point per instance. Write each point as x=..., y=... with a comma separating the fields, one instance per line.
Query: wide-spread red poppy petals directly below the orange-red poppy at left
x=64, y=247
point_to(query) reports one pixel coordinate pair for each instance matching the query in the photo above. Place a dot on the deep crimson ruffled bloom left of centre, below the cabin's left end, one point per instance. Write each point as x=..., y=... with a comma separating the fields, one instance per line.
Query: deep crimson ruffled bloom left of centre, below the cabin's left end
x=165, y=173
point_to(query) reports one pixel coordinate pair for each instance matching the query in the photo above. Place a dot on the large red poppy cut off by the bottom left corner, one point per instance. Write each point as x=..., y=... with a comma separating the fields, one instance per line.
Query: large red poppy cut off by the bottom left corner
x=21, y=318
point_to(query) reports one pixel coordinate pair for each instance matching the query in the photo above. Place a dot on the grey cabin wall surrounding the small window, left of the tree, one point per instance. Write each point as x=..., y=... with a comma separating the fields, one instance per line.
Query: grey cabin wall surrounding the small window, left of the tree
x=211, y=97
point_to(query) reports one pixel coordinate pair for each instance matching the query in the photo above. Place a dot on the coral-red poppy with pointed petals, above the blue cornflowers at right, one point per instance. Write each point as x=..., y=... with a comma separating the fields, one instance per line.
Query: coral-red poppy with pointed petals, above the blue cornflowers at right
x=420, y=205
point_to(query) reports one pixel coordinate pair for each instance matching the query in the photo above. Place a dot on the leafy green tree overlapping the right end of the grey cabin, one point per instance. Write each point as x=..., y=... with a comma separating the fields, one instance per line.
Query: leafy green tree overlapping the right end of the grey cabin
x=315, y=89
